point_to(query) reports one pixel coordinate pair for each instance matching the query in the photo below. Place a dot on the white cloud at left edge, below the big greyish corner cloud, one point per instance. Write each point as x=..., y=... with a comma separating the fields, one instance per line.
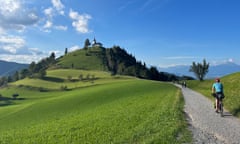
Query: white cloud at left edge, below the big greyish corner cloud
x=11, y=43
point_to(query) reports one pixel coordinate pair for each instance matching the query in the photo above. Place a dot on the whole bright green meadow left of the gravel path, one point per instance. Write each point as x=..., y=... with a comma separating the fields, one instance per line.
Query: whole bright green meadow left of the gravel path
x=75, y=106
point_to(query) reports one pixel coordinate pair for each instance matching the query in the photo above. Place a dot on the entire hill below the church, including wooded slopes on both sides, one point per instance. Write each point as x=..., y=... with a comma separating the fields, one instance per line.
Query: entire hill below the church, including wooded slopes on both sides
x=115, y=60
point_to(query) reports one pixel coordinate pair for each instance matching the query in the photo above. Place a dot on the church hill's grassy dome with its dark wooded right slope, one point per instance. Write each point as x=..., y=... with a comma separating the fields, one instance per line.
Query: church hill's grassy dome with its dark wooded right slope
x=115, y=60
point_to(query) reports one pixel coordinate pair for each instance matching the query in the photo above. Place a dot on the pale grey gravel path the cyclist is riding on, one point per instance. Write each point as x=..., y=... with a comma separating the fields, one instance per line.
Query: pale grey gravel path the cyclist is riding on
x=206, y=125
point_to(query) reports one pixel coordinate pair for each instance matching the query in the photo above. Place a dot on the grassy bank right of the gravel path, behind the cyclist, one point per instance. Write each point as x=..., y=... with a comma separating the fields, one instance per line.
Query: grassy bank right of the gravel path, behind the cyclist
x=231, y=90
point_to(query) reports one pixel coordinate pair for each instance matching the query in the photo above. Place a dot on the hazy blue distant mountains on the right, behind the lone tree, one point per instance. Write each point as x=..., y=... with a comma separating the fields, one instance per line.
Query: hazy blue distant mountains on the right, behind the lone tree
x=214, y=70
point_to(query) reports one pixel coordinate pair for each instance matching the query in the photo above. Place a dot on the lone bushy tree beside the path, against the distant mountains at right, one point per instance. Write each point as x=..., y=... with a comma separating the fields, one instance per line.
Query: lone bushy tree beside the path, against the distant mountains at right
x=199, y=69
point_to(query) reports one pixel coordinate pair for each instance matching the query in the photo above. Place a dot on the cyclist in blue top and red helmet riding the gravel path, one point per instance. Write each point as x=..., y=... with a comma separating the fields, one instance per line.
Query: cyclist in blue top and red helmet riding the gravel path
x=217, y=92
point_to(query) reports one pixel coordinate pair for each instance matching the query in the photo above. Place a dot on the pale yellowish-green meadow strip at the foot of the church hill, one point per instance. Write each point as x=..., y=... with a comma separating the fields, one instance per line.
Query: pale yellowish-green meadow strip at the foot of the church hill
x=69, y=78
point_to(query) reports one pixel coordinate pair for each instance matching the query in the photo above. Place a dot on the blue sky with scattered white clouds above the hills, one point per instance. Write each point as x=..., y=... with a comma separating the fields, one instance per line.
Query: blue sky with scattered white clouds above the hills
x=158, y=32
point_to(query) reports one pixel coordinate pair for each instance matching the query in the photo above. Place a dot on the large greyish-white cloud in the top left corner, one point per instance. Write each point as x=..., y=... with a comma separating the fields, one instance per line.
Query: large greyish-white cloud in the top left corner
x=15, y=16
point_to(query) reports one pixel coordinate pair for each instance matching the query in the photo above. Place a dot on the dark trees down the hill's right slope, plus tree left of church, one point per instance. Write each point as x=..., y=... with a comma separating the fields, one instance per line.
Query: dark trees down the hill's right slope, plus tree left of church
x=118, y=61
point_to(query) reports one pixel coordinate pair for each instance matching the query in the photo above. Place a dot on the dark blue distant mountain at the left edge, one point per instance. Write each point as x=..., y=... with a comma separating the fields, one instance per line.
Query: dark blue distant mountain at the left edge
x=8, y=68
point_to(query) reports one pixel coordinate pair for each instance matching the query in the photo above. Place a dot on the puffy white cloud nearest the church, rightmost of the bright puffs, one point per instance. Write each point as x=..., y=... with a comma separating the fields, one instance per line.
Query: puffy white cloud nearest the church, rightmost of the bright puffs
x=80, y=21
